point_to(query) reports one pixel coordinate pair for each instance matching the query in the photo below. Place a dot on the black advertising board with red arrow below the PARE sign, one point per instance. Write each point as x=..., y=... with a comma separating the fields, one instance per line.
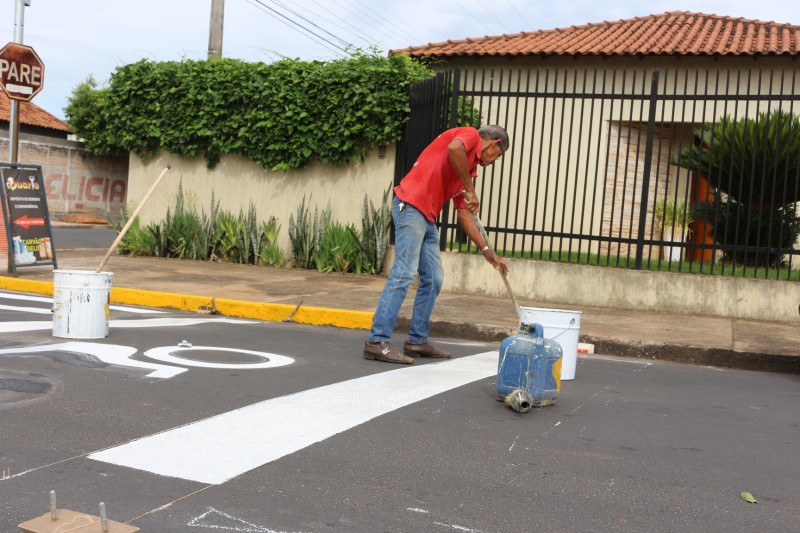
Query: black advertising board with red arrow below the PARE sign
x=27, y=220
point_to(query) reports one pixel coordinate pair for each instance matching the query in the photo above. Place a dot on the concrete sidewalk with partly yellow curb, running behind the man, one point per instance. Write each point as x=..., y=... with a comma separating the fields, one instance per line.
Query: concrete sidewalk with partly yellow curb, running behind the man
x=306, y=296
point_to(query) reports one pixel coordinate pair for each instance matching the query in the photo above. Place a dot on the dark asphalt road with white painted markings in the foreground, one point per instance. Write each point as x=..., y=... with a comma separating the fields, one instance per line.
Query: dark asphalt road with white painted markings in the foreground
x=332, y=442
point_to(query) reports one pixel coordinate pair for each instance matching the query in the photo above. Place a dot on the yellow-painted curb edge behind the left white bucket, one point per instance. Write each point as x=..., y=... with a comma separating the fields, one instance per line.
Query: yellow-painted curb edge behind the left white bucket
x=315, y=316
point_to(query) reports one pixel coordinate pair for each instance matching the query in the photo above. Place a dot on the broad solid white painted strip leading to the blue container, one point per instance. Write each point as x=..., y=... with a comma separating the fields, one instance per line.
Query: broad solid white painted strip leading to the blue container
x=222, y=447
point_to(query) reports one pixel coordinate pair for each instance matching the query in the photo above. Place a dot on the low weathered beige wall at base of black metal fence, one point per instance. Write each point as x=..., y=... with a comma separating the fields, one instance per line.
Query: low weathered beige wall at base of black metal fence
x=565, y=285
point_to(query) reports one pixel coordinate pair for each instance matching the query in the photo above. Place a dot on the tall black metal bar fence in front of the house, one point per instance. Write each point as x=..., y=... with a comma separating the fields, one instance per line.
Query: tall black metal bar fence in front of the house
x=605, y=164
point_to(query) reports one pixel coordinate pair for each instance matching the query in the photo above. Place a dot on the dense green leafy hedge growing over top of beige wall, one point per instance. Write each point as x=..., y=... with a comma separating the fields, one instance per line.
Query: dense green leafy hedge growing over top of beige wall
x=280, y=115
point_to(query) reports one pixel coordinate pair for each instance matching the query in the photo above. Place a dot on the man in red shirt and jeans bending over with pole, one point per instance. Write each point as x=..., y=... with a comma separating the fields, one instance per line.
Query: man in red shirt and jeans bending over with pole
x=443, y=171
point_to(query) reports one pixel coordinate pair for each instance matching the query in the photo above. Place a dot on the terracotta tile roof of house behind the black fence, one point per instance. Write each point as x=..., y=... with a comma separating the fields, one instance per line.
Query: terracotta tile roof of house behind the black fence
x=671, y=33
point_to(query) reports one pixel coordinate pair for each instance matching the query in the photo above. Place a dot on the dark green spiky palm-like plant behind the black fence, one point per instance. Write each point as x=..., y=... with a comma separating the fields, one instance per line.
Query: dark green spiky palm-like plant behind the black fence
x=754, y=166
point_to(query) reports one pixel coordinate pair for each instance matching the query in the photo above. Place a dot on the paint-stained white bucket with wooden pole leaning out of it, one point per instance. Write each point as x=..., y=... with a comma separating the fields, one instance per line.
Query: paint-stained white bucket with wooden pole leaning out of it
x=80, y=304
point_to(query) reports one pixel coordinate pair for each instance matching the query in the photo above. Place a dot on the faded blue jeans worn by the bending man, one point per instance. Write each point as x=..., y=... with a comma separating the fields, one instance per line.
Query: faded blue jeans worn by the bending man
x=416, y=252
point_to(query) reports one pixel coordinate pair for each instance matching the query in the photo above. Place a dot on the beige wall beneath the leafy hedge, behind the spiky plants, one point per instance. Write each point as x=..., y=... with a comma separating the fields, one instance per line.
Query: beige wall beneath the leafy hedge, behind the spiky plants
x=236, y=181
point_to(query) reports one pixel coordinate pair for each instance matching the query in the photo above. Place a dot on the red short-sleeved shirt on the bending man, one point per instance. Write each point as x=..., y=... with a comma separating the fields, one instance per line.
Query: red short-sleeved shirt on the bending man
x=433, y=180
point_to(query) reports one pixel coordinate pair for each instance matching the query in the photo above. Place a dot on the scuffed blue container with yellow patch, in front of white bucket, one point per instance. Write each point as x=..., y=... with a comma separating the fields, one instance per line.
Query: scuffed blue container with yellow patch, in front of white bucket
x=528, y=369
